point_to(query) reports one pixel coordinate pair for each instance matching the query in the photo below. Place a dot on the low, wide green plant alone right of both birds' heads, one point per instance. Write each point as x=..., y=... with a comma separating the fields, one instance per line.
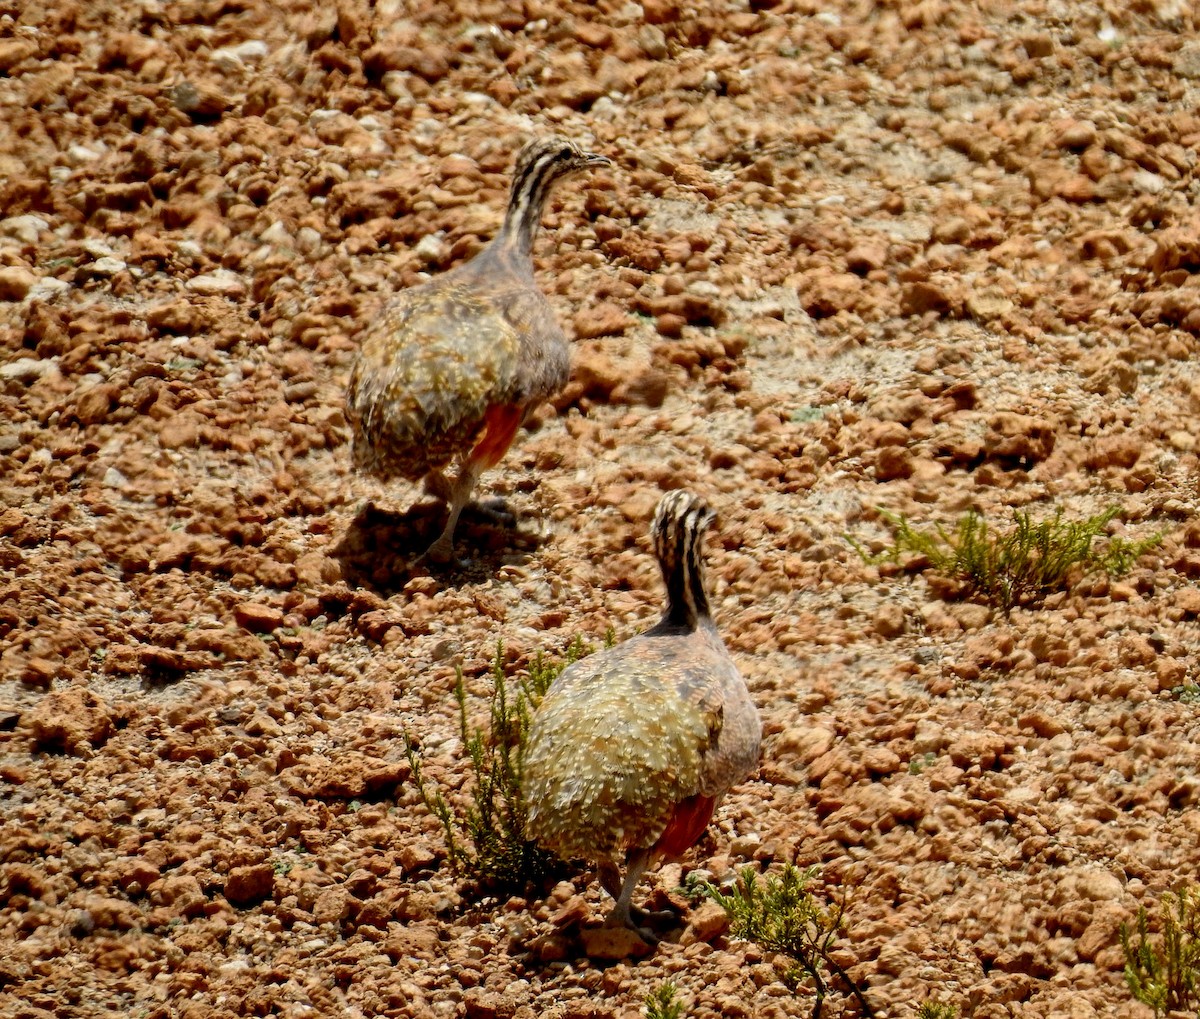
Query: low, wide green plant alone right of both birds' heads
x=1022, y=566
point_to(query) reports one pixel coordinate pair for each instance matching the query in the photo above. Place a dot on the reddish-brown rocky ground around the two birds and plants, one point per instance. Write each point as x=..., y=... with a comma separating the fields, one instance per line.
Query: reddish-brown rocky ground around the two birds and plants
x=915, y=256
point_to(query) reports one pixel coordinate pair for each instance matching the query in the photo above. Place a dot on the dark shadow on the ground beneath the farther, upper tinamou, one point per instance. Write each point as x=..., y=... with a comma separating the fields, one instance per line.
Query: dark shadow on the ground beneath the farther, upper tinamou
x=383, y=550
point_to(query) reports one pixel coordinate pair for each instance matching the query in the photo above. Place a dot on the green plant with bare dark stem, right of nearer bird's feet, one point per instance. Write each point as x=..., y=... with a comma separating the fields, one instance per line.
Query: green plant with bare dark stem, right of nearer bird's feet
x=782, y=915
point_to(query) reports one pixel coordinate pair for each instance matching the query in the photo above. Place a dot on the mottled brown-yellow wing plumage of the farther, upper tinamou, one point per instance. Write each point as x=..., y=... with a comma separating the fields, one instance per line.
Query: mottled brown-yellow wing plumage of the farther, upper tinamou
x=428, y=373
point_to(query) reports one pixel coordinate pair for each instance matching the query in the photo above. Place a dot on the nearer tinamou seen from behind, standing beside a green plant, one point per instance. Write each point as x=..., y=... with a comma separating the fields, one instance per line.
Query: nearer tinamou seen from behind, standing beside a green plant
x=633, y=748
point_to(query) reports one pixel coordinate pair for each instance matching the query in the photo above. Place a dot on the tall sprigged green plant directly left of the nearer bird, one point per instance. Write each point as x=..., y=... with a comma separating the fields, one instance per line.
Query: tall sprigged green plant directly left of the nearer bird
x=485, y=840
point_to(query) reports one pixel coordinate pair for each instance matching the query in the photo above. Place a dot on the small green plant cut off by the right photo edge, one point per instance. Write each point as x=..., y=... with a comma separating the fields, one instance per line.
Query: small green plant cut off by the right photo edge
x=1166, y=975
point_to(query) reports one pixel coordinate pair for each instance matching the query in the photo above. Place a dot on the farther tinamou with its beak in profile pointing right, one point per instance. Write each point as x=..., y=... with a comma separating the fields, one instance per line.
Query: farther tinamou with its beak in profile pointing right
x=451, y=369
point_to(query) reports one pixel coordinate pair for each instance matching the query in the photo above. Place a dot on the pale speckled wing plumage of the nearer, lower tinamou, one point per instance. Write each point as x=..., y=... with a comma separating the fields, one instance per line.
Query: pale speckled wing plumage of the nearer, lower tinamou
x=613, y=751
